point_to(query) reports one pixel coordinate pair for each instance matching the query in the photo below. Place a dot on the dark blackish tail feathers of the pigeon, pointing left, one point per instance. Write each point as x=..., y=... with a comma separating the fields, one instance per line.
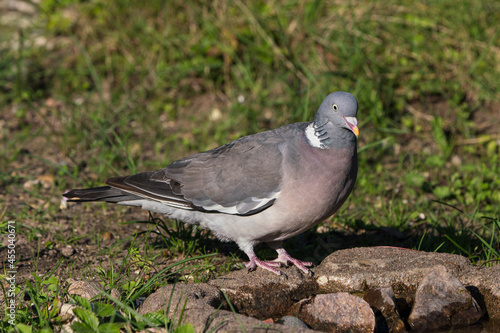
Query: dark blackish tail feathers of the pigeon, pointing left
x=103, y=193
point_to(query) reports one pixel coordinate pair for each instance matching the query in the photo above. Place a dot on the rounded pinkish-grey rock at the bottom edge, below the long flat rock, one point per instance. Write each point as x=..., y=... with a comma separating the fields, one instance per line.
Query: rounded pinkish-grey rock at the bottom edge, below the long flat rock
x=339, y=312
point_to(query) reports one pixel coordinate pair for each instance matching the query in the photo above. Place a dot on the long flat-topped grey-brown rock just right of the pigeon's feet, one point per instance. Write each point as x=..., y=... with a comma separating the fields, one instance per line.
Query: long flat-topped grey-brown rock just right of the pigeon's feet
x=359, y=269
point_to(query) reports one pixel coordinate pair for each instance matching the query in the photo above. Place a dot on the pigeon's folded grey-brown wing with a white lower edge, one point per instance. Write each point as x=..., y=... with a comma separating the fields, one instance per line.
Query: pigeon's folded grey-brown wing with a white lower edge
x=242, y=177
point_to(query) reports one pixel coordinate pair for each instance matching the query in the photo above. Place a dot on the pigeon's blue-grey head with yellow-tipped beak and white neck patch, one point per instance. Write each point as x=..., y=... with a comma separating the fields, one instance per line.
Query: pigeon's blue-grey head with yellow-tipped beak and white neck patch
x=335, y=121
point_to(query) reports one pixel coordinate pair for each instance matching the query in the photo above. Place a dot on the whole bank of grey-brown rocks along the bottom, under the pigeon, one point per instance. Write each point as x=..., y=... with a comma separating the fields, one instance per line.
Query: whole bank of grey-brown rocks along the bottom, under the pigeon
x=378, y=289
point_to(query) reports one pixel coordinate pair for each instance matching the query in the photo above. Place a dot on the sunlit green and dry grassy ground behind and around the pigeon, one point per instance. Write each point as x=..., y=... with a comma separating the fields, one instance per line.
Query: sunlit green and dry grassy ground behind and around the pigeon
x=94, y=89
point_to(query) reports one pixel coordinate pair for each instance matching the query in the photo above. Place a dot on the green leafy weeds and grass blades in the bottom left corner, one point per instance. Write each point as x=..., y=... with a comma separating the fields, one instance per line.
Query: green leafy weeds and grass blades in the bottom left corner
x=46, y=294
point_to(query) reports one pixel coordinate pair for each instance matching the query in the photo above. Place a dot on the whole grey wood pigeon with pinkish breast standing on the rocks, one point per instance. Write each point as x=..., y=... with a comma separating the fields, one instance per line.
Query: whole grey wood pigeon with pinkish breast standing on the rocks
x=265, y=187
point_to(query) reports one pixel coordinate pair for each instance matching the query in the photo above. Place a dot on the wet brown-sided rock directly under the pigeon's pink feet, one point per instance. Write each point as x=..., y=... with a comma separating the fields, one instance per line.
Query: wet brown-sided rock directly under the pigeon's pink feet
x=265, y=295
